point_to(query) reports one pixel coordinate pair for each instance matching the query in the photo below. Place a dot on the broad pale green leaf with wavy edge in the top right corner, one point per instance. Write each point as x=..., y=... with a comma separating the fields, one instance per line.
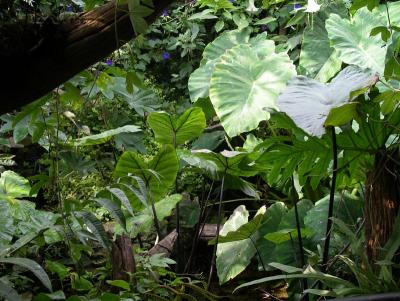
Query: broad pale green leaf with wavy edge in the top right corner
x=352, y=40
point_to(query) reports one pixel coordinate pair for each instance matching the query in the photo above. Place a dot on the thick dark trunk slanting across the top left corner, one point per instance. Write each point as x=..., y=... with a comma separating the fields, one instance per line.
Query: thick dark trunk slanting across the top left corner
x=40, y=63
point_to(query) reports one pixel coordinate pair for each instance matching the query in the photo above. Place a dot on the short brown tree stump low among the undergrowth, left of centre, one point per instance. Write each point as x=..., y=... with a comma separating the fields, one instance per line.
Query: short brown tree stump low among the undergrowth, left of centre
x=123, y=261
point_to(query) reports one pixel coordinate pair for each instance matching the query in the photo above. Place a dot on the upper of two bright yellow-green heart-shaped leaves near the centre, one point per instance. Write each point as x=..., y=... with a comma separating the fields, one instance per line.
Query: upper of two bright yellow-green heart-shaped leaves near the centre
x=169, y=130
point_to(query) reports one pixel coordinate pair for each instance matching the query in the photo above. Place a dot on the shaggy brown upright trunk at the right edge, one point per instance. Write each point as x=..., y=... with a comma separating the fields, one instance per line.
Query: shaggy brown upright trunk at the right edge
x=382, y=198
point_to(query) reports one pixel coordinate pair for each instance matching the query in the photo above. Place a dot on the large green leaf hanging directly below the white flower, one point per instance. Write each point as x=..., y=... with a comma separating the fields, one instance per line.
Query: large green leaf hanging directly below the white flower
x=317, y=57
